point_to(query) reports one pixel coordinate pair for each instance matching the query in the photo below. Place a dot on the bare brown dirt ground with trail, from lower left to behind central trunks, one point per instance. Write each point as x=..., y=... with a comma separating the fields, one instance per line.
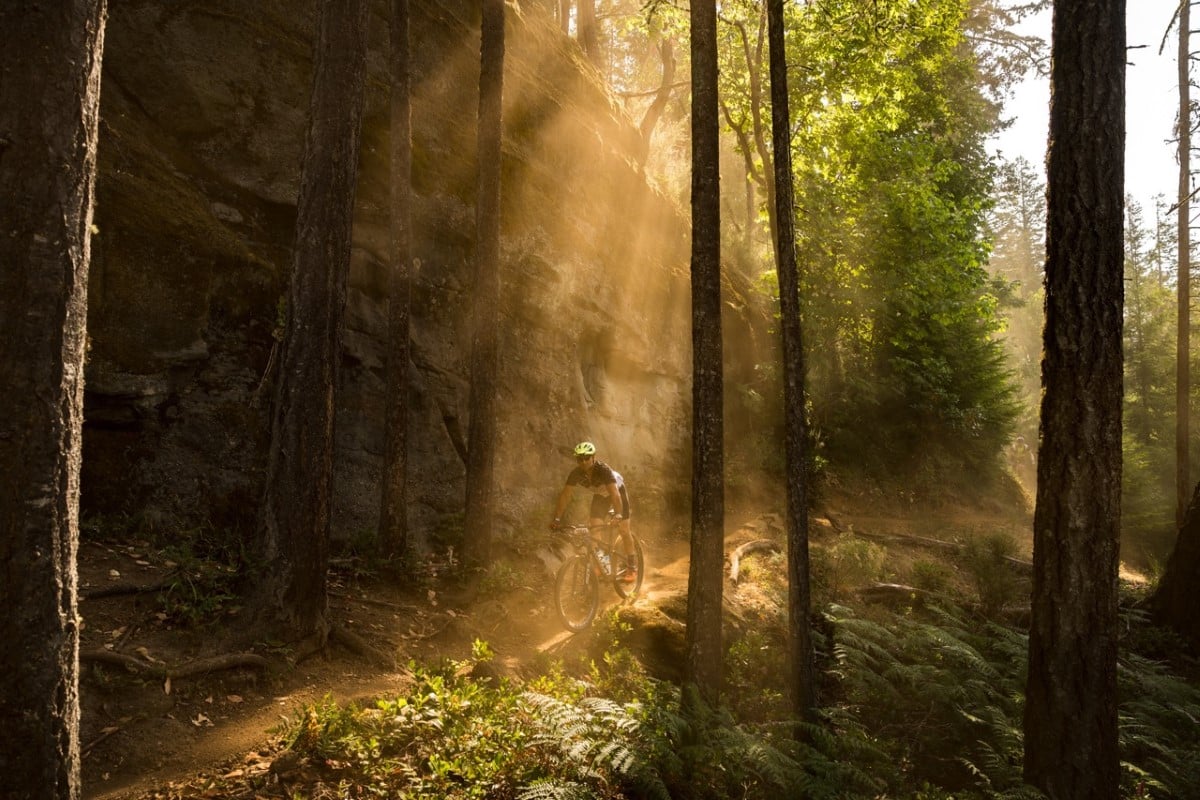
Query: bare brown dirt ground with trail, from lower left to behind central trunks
x=143, y=733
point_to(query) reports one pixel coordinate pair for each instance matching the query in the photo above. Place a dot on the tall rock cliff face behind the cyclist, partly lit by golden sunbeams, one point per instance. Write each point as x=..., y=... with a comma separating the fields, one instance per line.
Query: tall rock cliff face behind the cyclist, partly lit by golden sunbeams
x=203, y=118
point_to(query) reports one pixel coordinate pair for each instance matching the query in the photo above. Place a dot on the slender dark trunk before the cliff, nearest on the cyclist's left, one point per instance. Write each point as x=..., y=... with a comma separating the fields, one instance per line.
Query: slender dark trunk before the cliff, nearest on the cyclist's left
x=482, y=429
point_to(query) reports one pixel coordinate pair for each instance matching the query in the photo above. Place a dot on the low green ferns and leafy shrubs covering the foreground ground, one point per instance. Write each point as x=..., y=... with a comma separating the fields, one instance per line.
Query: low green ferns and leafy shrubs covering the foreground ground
x=925, y=705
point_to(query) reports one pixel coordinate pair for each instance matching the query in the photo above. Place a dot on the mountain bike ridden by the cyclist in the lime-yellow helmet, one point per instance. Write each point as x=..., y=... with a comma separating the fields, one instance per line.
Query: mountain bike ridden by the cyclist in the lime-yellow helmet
x=578, y=585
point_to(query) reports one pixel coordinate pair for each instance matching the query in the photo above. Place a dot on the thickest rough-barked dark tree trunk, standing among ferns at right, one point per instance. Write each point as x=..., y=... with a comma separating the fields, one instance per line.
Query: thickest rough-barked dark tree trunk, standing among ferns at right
x=1071, y=712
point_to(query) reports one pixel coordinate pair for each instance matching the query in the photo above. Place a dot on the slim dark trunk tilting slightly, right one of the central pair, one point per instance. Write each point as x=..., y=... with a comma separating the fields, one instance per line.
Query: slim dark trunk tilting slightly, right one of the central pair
x=802, y=672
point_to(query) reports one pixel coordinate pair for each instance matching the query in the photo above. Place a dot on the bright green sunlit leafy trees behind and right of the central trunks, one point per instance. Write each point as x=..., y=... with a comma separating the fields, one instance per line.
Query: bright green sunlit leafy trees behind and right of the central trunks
x=892, y=187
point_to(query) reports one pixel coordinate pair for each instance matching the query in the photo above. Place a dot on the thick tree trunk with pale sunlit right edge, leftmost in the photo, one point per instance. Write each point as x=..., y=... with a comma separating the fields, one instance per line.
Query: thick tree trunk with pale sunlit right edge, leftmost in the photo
x=50, y=109
